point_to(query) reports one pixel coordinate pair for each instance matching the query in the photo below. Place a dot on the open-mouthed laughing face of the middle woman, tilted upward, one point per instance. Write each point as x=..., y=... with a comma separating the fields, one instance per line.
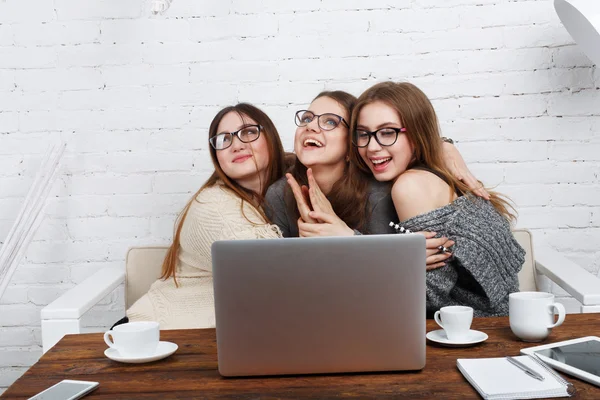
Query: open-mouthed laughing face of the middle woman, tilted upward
x=315, y=147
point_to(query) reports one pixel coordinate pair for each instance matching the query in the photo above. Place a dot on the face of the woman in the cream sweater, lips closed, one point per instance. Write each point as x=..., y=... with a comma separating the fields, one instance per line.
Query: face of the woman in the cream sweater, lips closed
x=245, y=163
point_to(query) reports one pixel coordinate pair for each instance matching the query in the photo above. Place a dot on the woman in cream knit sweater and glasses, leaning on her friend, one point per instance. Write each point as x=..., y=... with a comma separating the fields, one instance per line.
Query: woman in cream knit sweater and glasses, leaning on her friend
x=247, y=154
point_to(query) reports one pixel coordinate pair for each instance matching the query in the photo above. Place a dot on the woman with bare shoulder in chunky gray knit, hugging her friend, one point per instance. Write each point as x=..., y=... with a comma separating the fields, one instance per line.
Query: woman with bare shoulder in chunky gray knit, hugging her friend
x=396, y=138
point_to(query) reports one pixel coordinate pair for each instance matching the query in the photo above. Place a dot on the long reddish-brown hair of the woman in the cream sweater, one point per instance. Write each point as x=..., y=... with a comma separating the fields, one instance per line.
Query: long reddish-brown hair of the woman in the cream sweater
x=275, y=170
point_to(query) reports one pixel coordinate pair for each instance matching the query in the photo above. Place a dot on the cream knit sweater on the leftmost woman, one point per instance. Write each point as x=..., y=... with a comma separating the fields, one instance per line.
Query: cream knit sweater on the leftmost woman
x=215, y=215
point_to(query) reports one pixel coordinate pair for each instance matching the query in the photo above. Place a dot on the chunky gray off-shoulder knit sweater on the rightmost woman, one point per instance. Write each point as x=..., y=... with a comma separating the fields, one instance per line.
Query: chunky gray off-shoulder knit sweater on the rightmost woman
x=486, y=257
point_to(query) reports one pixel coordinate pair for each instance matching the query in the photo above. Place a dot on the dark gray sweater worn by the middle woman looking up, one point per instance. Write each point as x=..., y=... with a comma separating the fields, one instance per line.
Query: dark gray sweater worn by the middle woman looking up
x=380, y=209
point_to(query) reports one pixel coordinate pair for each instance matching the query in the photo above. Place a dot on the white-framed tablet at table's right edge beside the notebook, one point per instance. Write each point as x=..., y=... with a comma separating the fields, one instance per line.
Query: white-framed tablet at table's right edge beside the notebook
x=577, y=357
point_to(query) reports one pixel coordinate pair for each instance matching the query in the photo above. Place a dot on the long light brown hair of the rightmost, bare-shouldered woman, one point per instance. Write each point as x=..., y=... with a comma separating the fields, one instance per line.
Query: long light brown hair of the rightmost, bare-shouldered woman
x=422, y=130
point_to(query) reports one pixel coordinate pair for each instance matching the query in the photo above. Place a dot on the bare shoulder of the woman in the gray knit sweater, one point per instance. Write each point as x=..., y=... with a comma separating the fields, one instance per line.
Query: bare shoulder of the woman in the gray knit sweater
x=417, y=192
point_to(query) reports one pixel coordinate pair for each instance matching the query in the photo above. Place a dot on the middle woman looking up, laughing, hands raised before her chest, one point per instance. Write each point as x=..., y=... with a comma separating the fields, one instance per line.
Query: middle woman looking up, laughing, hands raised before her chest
x=326, y=195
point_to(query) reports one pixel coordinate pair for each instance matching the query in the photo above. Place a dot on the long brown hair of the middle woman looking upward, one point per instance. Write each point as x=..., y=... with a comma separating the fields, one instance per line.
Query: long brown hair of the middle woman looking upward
x=349, y=195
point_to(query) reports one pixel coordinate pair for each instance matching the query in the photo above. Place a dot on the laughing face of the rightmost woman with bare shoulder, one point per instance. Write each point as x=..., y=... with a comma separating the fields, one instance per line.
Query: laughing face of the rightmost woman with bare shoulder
x=385, y=162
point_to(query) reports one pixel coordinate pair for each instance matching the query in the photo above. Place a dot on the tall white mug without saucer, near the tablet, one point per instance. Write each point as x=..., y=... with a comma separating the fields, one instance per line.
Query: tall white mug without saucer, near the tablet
x=531, y=315
